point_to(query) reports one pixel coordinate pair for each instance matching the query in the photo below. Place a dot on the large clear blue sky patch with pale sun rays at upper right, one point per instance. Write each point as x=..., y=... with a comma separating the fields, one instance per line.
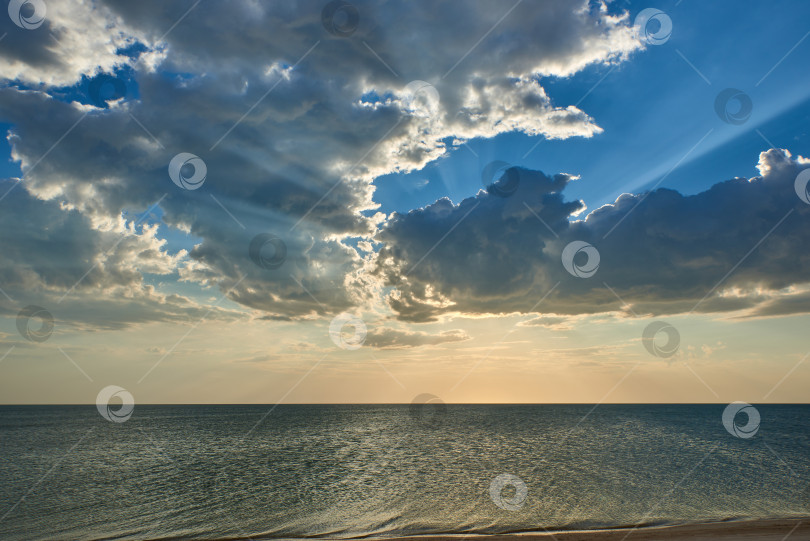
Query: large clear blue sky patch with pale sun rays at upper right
x=653, y=109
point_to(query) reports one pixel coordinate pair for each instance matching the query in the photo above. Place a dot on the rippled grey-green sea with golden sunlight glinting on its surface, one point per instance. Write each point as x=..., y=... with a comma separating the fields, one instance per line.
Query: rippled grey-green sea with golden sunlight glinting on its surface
x=383, y=470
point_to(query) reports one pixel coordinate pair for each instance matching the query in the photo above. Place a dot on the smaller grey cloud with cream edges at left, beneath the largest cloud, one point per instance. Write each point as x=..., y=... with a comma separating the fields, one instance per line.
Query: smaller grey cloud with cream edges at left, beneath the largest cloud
x=88, y=275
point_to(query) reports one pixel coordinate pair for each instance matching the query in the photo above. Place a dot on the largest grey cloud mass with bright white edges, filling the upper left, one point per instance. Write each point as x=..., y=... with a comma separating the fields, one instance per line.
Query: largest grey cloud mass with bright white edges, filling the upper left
x=292, y=122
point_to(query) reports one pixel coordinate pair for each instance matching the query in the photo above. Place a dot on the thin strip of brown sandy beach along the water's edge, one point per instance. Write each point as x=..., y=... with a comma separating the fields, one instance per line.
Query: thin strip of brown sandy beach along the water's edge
x=759, y=530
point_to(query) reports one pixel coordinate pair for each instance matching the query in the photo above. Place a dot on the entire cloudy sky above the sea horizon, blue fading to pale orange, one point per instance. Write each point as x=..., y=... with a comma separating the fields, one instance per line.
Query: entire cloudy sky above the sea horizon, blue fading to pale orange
x=333, y=202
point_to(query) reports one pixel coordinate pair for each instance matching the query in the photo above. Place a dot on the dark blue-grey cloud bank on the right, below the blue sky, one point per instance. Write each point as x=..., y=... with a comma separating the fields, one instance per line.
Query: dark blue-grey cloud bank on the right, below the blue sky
x=730, y=248
